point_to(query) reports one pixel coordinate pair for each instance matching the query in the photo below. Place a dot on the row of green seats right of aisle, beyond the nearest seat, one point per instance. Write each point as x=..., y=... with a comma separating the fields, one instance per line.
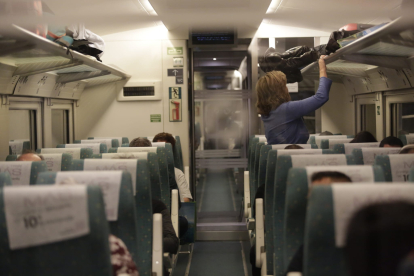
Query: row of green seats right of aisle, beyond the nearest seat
x=285, y=174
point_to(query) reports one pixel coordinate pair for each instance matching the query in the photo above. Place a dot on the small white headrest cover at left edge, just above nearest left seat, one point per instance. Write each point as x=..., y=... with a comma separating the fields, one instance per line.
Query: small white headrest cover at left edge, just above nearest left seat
x=19, y=172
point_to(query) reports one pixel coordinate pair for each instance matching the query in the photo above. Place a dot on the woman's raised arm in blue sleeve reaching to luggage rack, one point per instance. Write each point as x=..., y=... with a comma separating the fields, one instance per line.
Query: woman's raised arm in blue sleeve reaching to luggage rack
x=306, y=106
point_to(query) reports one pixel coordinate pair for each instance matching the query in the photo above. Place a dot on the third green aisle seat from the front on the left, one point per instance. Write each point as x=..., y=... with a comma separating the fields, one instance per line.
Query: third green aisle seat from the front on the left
x=143, y=203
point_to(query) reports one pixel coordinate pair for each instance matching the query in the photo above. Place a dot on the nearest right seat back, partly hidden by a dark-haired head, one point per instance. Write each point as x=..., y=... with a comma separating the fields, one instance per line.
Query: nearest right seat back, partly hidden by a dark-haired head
x=323, y=248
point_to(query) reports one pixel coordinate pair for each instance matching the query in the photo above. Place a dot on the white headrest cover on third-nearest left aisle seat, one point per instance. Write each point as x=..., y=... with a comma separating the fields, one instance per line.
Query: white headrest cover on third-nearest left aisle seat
x=129, y=165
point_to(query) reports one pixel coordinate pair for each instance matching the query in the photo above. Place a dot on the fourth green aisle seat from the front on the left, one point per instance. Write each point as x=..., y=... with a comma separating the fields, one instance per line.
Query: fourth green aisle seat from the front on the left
x=162, y=165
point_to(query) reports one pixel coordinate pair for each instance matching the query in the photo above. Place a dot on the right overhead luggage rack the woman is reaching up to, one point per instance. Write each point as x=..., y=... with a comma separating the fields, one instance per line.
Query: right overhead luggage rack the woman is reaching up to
x=390, y=46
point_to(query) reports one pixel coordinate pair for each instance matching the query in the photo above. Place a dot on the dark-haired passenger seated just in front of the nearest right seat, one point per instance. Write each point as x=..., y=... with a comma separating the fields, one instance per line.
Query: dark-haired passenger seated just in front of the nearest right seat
x=320, y=178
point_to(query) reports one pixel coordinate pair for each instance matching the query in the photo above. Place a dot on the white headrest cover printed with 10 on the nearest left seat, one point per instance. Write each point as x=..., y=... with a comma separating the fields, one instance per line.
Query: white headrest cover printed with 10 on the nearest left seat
x=45, y=214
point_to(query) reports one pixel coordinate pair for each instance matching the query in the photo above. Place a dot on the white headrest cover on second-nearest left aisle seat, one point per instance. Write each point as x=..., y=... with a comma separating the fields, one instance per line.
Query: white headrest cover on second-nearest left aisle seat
x=110, y=183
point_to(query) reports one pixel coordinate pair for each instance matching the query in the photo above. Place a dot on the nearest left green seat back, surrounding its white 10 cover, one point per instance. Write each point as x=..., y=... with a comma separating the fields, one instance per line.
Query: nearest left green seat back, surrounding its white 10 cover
x=85, y=255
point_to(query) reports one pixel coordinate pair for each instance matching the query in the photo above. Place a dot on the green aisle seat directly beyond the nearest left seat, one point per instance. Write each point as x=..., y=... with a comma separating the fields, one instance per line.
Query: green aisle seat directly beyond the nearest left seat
x=125, y=225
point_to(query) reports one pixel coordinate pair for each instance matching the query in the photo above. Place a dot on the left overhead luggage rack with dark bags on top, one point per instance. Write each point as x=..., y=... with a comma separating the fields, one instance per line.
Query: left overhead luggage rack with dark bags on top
x=25, y=54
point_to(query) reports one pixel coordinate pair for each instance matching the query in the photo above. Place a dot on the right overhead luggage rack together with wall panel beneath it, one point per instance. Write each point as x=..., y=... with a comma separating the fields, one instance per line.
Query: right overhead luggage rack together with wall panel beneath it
x=379, y=61
